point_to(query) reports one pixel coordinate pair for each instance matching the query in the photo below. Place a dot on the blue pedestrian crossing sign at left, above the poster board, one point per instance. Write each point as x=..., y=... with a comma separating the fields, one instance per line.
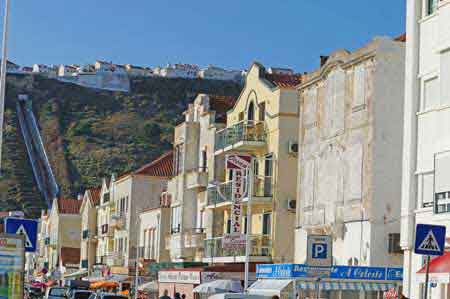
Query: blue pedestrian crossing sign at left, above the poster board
x=25, y=227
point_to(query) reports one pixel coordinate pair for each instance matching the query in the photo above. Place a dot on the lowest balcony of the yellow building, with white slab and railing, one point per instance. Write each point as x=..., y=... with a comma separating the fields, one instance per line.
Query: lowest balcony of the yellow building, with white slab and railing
x=260, y=250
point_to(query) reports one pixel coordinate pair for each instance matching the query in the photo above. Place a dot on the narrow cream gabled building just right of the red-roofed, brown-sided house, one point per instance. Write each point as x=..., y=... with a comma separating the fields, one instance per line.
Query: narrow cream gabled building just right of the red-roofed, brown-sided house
x=88, y=211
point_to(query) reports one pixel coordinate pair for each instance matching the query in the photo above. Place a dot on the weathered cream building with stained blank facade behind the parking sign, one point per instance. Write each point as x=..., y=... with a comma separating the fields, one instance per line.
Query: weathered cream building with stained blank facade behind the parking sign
x=350, y=154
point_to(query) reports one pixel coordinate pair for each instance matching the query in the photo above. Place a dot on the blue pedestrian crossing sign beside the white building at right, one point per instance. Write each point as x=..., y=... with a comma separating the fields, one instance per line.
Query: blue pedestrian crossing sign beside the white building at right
x=430, y=239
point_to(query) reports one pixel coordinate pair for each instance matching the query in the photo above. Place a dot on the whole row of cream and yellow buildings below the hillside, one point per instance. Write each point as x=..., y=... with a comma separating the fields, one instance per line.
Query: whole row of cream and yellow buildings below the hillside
x=327, y=148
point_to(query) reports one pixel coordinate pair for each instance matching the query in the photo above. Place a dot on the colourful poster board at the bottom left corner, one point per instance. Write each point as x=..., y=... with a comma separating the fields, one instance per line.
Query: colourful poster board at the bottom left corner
x=12, y=262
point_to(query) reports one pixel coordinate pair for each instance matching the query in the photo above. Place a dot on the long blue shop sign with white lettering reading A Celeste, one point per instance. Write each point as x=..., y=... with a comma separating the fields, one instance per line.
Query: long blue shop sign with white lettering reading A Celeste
x=337, y=272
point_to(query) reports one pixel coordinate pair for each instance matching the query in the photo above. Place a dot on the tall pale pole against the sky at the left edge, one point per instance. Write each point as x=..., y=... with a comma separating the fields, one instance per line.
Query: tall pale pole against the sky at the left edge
x=3, y=75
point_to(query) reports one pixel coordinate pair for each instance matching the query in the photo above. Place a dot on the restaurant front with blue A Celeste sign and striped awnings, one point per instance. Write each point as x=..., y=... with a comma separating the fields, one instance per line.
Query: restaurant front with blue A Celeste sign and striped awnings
x=339, y=282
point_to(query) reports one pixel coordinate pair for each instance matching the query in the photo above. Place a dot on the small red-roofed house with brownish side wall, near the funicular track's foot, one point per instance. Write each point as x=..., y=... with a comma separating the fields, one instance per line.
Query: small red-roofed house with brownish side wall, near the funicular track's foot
x=64, y=232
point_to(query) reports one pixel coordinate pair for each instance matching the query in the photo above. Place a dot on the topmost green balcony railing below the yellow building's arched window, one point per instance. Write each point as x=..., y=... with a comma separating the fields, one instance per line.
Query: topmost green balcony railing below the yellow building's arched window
x=248, y=130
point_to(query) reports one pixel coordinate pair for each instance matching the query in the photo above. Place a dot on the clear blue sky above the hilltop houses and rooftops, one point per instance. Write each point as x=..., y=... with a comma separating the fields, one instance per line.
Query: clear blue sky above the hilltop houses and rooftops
x=231, y=33
